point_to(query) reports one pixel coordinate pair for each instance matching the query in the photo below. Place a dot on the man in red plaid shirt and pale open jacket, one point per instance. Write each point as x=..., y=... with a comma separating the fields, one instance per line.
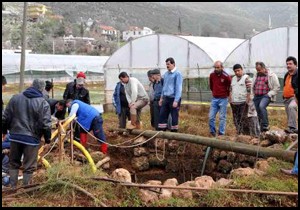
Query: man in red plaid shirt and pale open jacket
x=265, y=88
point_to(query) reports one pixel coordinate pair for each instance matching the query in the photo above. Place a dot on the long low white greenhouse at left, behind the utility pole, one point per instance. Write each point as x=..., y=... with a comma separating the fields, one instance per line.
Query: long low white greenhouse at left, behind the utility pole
x=60, y=68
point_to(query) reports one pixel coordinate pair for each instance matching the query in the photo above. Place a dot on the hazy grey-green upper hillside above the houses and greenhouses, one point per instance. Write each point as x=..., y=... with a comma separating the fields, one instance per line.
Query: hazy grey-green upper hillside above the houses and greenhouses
x=197, y=18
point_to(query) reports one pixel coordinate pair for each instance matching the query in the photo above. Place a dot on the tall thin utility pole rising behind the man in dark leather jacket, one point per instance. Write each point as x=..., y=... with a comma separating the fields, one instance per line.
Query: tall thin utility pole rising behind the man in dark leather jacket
x=22, y=66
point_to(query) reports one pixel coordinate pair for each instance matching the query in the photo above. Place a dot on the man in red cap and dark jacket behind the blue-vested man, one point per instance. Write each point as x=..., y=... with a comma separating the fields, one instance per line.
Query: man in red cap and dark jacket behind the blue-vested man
x=76, y=91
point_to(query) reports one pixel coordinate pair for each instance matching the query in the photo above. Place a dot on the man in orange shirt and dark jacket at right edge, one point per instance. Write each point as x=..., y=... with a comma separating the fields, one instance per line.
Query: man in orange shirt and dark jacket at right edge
x=289, y=100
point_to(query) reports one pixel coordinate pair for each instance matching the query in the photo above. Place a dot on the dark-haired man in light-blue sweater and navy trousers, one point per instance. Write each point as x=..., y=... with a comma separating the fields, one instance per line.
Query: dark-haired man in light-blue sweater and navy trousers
x=170, y=98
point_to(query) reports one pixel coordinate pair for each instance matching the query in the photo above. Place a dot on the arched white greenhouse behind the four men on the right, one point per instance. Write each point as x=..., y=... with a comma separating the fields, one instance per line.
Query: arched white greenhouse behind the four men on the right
x=271, y=47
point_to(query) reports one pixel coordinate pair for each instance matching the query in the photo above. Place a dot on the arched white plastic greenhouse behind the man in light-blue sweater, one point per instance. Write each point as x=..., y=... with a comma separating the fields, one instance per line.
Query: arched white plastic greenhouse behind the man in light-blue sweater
x=194, y=57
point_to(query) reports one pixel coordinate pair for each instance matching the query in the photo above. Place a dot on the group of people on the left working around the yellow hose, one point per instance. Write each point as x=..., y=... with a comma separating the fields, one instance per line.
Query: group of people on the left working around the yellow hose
x=27, y=118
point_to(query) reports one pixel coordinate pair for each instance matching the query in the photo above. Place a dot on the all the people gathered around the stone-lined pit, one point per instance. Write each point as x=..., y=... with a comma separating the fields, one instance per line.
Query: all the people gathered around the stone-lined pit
x=27, y=116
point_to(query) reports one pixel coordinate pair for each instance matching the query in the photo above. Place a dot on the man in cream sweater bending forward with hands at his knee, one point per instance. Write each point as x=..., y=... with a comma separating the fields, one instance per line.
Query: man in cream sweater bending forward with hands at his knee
x=137, y=98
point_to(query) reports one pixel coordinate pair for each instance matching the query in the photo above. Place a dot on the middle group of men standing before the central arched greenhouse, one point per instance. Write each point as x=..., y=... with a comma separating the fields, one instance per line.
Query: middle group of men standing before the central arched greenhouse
x=164, y=97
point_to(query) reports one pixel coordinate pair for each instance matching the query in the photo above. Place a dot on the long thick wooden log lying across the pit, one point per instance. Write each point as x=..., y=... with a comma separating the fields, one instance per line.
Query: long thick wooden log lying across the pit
x=247, y=149
